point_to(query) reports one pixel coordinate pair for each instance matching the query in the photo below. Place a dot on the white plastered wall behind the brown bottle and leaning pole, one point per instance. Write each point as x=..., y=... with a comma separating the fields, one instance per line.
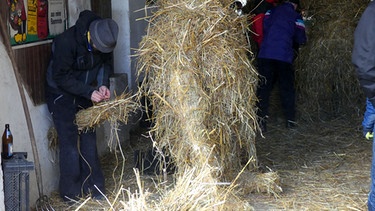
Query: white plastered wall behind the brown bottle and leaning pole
x=12, y=112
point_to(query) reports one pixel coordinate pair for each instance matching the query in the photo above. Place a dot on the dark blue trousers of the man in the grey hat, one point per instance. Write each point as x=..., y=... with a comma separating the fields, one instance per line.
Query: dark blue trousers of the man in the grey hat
x=79, y=162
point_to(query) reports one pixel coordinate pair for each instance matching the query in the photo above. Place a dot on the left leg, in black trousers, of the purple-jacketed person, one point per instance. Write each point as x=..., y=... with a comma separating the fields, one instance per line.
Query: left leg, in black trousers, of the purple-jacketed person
x=265, y=70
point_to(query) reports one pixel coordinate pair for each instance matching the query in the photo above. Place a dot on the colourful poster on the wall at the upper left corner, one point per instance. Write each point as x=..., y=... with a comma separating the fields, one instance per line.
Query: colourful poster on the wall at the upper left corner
x=35, y=20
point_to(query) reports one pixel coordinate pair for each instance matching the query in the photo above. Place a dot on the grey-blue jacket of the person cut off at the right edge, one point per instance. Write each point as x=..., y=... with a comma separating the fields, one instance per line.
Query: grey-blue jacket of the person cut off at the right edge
x=363, y=56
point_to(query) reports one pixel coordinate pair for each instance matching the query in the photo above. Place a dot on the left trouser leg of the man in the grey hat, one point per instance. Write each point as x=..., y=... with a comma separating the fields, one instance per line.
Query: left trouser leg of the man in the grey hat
x=62, y=109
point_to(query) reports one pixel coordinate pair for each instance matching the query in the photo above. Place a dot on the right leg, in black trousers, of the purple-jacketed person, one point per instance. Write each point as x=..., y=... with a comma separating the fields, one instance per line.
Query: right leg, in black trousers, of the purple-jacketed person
x=287, y=91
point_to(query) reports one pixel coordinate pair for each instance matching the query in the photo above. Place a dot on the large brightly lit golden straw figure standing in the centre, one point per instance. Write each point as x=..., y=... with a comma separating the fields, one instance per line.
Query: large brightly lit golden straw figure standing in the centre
x=201, y=85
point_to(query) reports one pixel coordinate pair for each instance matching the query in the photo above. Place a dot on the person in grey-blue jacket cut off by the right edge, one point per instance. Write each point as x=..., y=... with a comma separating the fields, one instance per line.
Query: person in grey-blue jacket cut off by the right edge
x=363, y=58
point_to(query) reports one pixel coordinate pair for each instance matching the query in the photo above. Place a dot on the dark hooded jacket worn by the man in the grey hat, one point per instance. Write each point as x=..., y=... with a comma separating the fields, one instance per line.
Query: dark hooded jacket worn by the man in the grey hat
x=74, y=67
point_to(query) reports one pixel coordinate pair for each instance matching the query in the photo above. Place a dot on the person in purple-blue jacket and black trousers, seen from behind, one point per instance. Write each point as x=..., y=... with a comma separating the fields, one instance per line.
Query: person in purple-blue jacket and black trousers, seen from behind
x=283, y=27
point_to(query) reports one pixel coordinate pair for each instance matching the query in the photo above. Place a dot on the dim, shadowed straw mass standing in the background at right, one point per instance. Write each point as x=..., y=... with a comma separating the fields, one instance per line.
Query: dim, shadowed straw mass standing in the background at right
x=325, y=76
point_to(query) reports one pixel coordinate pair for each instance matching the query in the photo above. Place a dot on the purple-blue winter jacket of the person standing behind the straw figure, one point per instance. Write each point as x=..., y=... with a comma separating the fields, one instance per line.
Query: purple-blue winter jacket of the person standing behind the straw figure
x=283, y=27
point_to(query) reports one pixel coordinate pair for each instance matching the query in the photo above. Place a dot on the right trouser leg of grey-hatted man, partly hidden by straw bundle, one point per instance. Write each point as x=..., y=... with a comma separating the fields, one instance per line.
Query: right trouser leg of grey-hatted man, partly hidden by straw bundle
x=91, y=172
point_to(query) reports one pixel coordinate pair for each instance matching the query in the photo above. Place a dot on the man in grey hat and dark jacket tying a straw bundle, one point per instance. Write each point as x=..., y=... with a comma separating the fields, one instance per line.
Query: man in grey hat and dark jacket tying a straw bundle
x=78, y=74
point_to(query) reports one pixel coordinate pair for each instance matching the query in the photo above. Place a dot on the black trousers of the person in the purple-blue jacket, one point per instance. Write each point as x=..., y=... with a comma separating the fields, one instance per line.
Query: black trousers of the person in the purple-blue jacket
x=272, y=71
